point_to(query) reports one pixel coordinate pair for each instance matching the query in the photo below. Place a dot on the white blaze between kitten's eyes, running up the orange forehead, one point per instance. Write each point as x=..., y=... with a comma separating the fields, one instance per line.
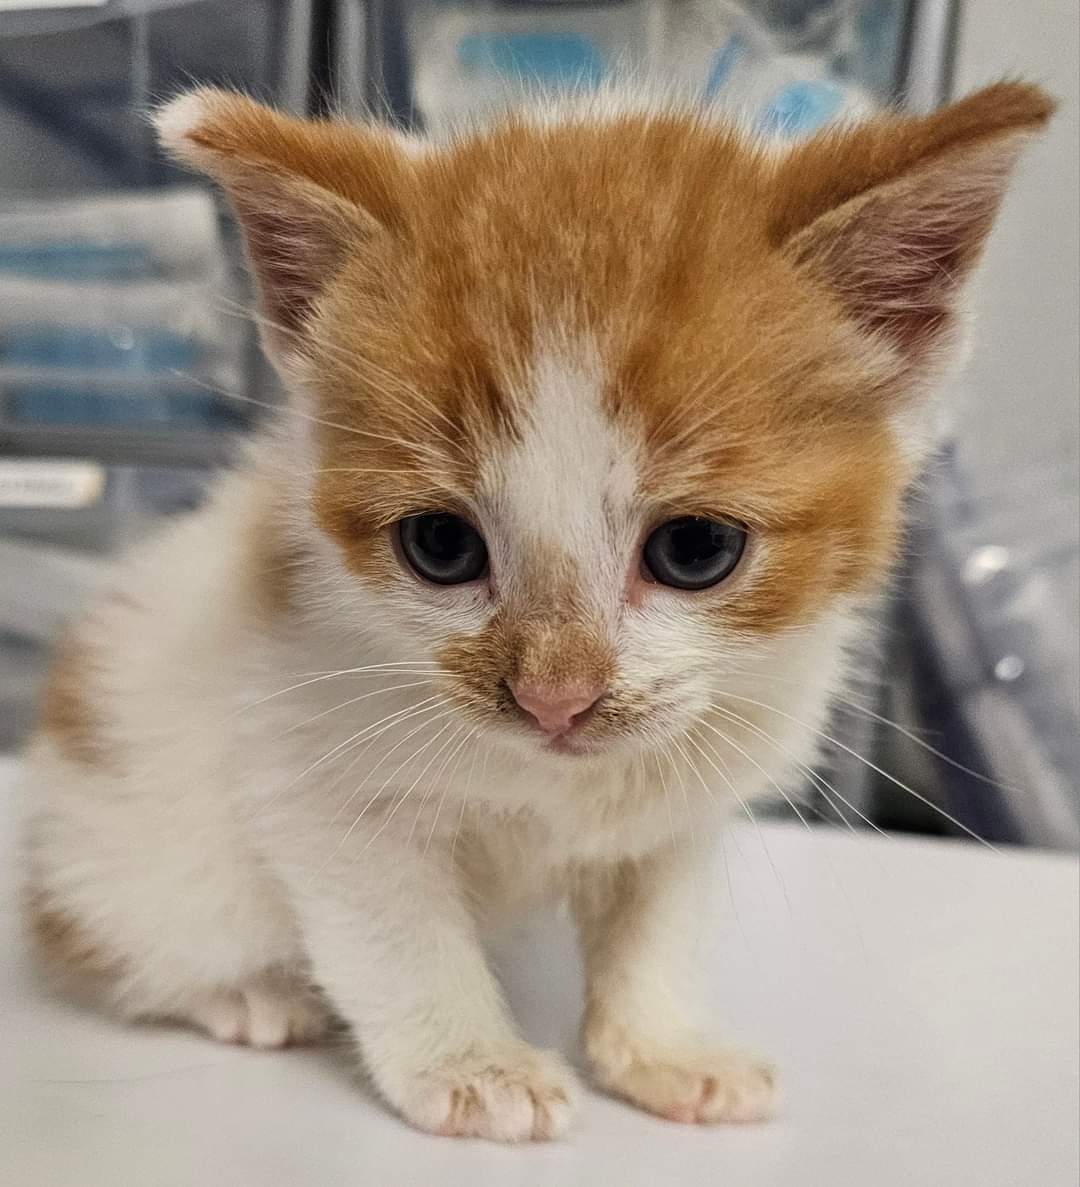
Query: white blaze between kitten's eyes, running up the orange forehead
x=568, y=487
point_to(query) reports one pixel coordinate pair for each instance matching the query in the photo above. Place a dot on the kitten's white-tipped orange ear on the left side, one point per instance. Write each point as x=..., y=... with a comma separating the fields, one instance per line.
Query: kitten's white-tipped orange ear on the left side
x=308, y=194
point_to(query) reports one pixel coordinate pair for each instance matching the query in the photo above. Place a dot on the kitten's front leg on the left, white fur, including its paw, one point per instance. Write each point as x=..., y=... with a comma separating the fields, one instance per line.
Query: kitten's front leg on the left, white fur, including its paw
x=396, y=948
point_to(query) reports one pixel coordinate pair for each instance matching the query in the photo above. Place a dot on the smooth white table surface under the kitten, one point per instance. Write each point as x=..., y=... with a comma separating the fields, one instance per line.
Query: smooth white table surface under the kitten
x=920, y=998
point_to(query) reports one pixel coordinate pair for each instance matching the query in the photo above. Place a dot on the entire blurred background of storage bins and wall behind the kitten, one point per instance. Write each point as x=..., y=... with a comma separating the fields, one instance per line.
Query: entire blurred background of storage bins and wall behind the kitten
x=128, y=365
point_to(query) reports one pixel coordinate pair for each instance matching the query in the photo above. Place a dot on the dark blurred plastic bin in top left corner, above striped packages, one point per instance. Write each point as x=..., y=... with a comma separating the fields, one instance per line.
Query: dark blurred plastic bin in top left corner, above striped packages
x=77, y=84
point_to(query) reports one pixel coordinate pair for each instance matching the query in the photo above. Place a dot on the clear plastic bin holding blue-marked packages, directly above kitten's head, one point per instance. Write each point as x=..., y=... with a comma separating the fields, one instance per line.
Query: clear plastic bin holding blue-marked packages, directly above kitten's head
x=792, y=66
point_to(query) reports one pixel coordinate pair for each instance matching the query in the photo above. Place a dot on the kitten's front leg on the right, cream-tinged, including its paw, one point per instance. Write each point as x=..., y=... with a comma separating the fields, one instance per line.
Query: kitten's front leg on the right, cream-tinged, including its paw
x=640, y=1029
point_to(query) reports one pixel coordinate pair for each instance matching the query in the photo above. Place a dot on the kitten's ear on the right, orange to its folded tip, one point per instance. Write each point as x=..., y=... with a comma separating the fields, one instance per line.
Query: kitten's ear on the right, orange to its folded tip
x=892, y=215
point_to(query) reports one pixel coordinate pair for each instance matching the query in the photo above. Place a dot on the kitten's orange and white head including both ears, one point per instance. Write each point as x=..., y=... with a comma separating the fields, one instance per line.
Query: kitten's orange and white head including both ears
x=609, y=408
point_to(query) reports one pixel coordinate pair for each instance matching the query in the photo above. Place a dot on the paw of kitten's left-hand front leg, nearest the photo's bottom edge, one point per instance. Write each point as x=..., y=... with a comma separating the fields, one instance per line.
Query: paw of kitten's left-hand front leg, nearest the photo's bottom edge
x=513, y=1094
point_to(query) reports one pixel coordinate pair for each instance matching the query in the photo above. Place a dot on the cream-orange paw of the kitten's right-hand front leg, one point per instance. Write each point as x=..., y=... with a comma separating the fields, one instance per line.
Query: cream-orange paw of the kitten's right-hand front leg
x=691, y=1087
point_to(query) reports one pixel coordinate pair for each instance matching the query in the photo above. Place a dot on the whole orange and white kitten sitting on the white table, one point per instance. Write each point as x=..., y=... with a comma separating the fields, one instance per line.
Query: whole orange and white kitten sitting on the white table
x=600, y=427
